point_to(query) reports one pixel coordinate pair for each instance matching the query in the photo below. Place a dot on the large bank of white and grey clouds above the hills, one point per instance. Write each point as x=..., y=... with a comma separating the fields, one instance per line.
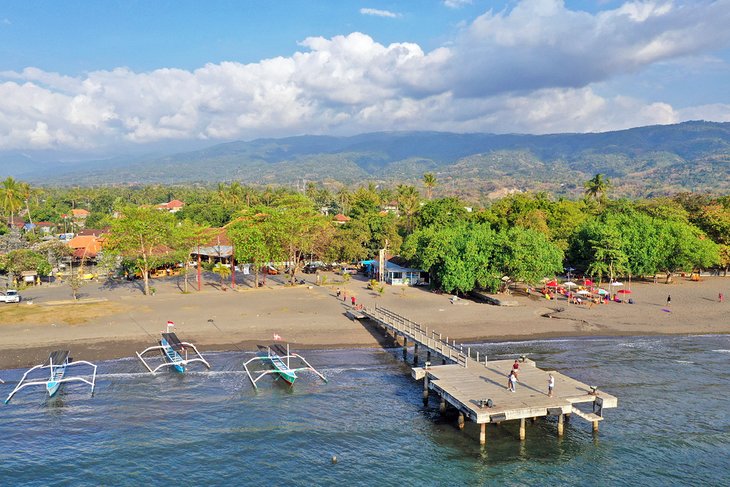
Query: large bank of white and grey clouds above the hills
x=531, y=68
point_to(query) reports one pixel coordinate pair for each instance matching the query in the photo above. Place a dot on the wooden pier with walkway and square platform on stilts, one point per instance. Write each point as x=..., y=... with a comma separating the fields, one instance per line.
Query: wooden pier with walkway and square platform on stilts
x=477, y=387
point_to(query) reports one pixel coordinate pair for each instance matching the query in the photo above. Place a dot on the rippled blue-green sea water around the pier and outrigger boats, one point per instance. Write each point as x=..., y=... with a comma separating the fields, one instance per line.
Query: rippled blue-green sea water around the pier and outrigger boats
x=672, y=426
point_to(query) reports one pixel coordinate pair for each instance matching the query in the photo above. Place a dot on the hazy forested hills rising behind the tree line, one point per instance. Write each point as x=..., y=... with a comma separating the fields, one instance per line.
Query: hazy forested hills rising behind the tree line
x=642, y=161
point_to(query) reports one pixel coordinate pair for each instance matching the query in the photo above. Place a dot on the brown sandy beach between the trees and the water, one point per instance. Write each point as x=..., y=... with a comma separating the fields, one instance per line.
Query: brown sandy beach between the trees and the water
x=114, y=319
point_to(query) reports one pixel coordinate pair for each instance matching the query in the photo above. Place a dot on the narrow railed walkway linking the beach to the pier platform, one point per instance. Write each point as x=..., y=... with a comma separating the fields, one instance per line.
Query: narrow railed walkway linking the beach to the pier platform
x=419, y=334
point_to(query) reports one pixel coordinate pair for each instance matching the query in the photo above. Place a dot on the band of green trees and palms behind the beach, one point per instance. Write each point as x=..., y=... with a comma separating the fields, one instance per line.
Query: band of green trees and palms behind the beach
x=521, y=237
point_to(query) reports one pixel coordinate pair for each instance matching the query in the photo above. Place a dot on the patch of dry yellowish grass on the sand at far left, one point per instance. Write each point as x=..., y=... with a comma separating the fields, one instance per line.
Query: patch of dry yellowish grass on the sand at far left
x=70, y=314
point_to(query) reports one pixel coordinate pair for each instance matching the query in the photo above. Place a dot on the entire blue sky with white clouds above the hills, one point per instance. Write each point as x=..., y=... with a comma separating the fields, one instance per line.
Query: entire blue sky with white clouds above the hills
x=101, y=75
